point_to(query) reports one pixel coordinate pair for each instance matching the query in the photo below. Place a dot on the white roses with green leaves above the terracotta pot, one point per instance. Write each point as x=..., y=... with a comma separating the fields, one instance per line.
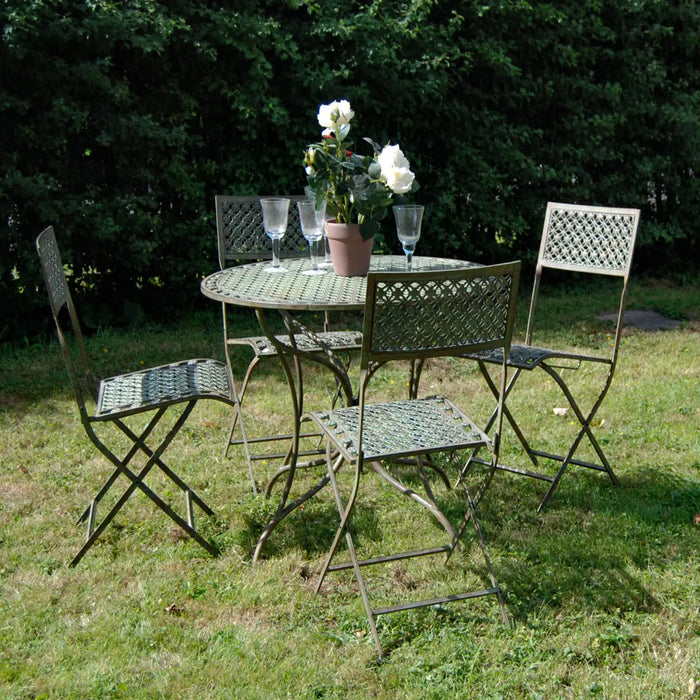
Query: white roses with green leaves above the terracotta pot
x=356, y=188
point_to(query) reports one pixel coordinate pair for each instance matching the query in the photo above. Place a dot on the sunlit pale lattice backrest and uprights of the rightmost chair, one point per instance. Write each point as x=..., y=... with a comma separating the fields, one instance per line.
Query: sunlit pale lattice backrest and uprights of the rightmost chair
x=580, y=238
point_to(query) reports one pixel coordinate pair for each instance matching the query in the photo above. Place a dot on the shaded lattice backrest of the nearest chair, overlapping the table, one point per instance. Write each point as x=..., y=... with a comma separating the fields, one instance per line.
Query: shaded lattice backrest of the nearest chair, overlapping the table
x=439, y=313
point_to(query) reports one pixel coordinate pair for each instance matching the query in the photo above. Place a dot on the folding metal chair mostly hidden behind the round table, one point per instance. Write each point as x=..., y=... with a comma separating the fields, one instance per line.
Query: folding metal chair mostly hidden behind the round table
x=241, y=237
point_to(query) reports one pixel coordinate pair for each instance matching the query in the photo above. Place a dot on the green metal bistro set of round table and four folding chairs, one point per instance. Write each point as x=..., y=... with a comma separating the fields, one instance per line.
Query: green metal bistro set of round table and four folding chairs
x=414, y=309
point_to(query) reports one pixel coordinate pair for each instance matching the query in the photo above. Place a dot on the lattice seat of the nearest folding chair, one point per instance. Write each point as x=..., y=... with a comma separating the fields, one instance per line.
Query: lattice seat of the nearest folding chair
x=402, y=428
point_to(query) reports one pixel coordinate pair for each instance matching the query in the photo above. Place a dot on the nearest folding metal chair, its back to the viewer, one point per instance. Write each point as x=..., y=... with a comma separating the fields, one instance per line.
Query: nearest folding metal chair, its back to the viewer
x=418, y=315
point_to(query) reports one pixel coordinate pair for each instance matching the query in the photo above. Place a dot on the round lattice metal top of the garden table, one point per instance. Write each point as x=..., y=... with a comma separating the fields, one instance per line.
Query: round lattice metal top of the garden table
x=251, y=285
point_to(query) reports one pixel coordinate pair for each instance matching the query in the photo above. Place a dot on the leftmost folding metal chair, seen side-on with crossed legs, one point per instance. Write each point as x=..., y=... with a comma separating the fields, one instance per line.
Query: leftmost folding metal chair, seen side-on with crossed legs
x=117, y=398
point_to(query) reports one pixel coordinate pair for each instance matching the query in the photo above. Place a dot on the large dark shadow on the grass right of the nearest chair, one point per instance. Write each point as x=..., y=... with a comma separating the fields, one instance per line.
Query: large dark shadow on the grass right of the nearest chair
x=584, y=549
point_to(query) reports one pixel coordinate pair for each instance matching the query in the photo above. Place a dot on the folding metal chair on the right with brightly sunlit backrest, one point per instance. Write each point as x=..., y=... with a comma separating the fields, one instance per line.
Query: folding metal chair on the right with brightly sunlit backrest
x=582, y=239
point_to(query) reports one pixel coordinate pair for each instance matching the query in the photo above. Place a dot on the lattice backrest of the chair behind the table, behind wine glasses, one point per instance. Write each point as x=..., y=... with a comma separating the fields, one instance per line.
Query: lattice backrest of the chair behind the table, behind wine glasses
x=241, y=235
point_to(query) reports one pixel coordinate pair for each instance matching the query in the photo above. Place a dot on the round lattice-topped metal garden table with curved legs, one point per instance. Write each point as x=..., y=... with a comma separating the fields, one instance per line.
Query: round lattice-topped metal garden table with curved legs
x=251, y=286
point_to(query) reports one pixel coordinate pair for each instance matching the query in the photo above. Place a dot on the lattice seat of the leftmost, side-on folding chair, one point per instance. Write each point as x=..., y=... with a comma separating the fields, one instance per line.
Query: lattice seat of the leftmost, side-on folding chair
x=138, y=391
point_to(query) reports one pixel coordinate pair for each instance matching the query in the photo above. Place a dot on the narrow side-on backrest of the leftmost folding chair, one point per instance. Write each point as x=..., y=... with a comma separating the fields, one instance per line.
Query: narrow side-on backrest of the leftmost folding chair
x=83, y=382
